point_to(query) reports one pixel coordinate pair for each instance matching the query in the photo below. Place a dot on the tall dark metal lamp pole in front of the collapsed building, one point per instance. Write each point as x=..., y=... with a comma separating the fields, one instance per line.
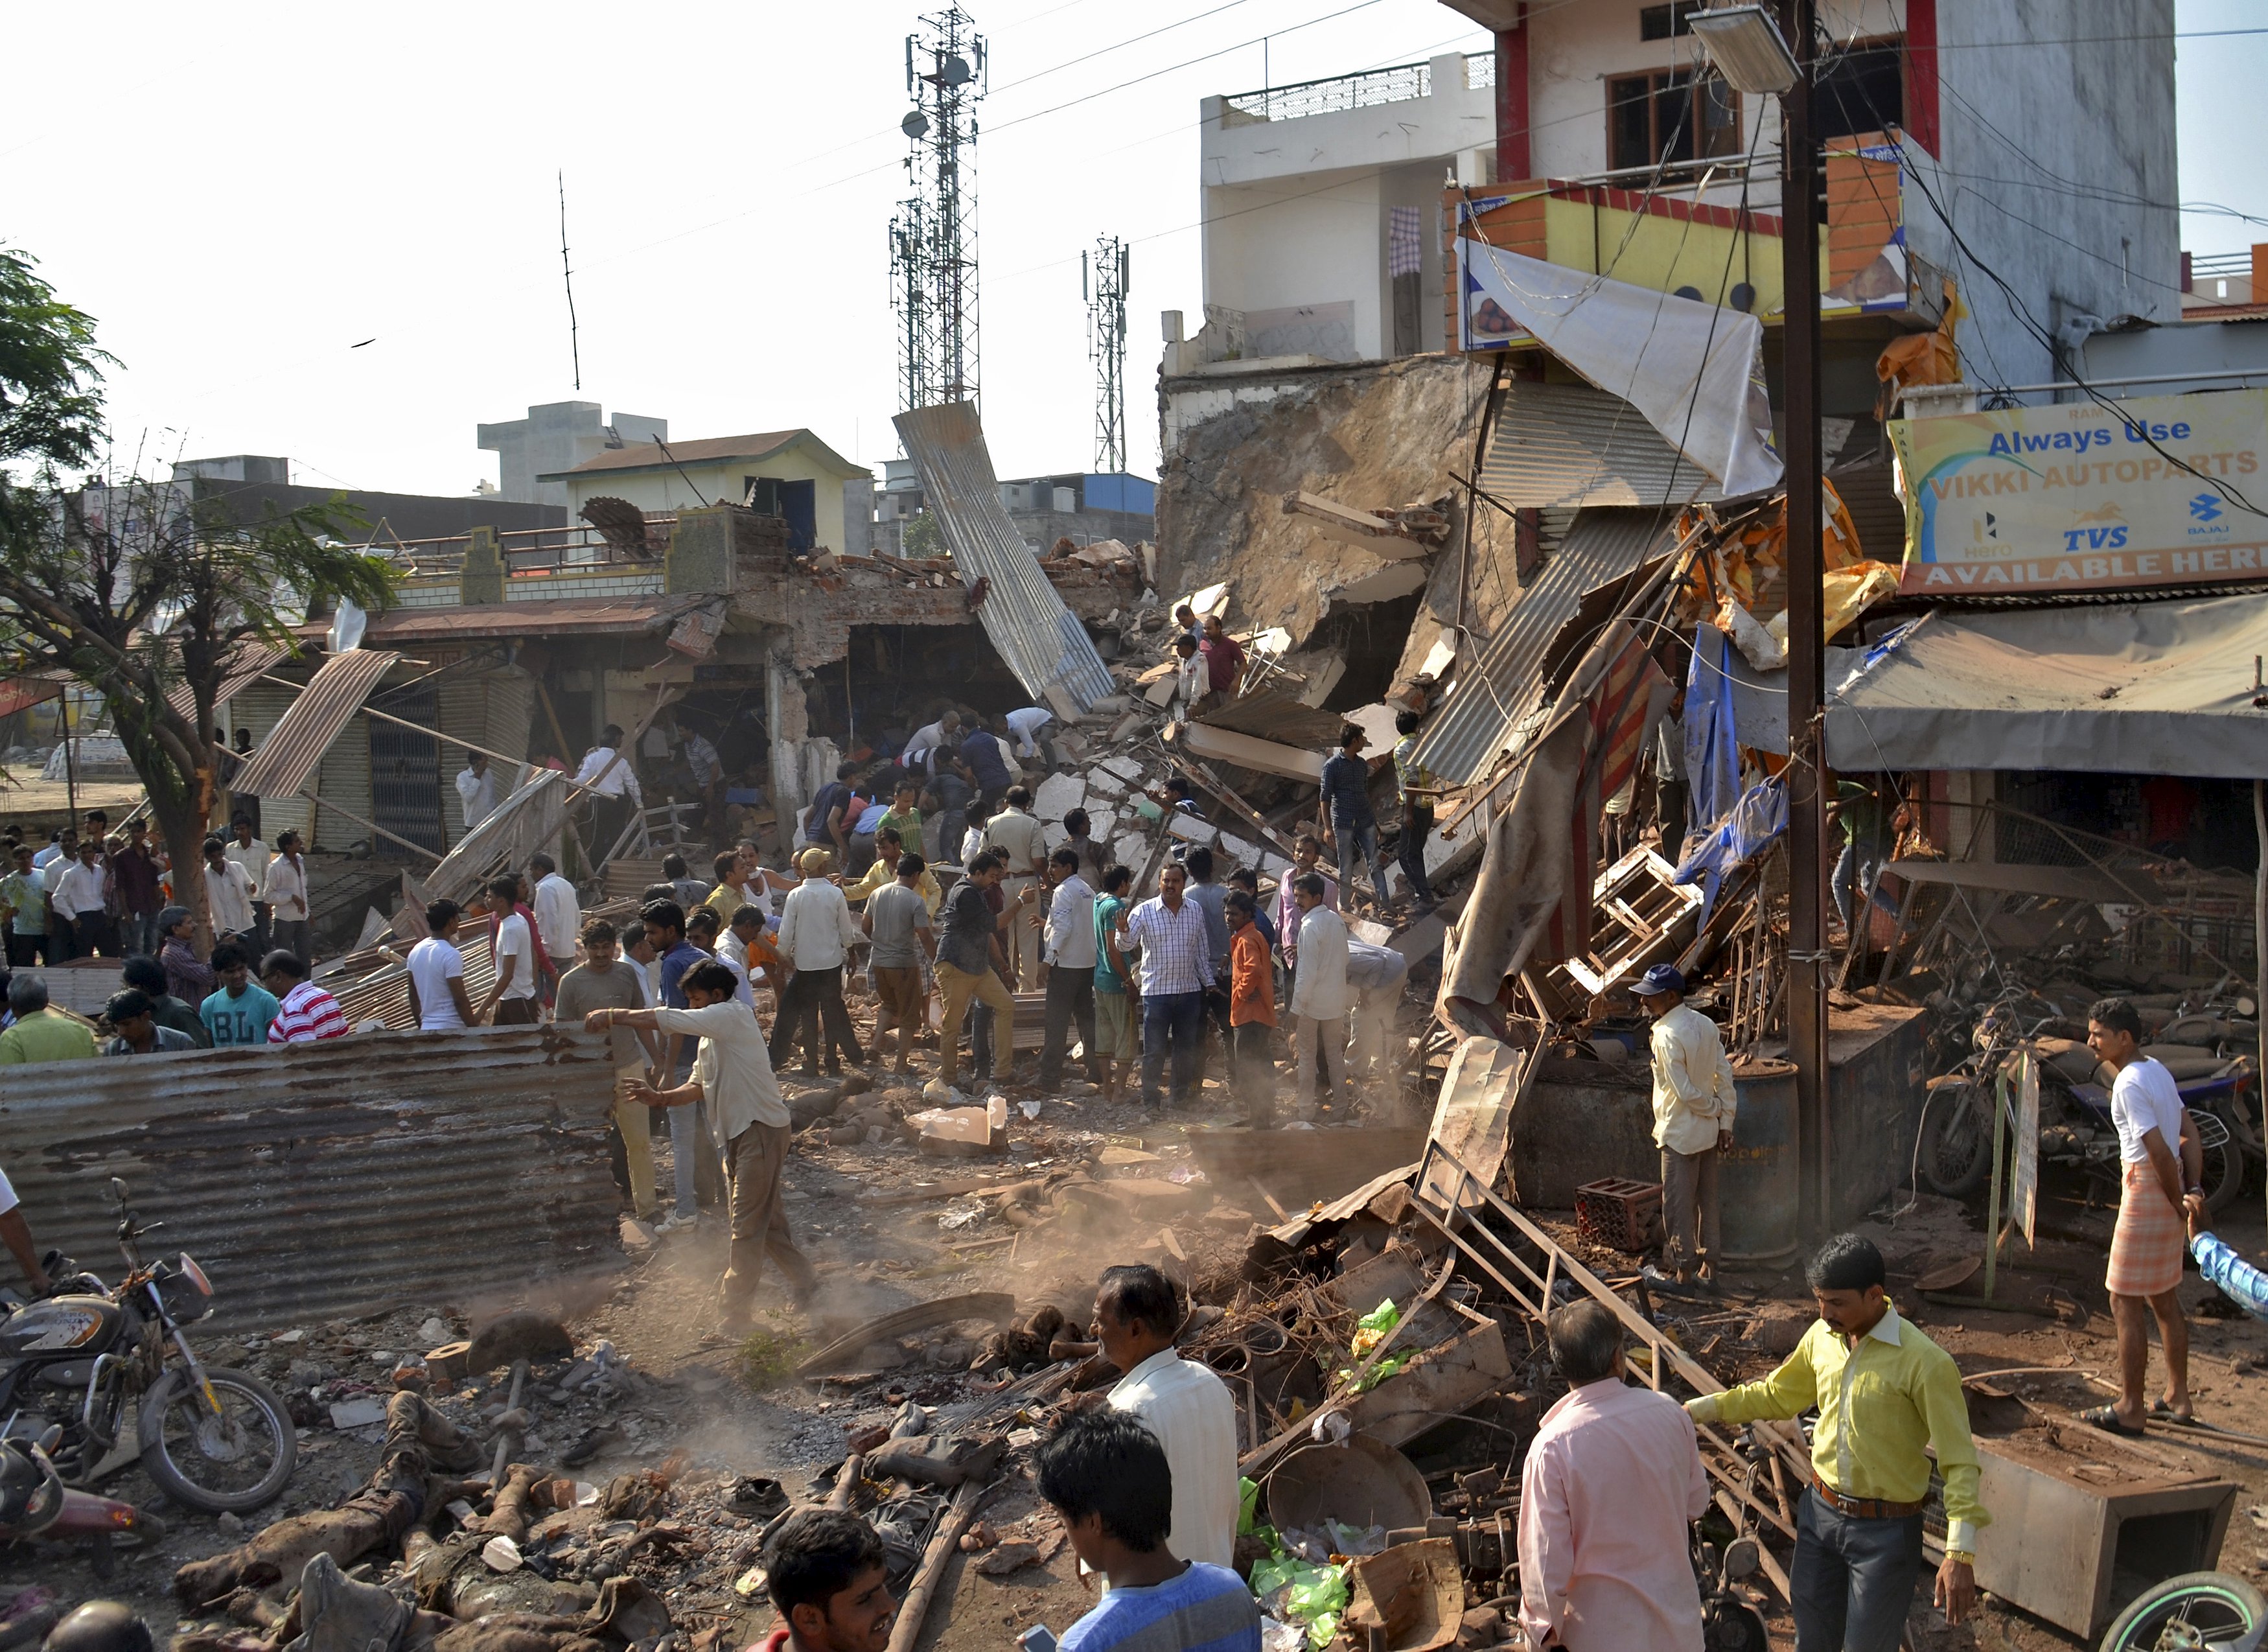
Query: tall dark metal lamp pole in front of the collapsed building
x=1806, y=652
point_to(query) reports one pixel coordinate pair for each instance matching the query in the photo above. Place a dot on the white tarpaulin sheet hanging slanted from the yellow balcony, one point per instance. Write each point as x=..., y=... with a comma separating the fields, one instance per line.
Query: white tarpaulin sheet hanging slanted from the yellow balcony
x=1691, y=369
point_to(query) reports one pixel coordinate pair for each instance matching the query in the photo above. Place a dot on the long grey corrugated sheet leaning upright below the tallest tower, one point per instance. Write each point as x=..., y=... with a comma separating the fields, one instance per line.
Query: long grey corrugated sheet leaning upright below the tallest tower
x=1040, y=639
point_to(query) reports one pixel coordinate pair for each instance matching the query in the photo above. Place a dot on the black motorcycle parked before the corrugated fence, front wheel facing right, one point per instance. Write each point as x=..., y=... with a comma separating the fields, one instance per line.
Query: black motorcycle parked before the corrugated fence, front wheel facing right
x=212, y=1440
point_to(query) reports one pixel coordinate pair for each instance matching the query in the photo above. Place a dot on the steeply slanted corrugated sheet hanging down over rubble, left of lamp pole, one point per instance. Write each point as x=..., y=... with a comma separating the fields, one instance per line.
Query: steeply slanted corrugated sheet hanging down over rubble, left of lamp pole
x=1496, y=691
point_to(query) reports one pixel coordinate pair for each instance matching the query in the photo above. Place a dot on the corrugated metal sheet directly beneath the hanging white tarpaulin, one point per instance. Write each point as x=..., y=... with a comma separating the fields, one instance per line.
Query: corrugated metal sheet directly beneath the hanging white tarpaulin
x=1575, y=446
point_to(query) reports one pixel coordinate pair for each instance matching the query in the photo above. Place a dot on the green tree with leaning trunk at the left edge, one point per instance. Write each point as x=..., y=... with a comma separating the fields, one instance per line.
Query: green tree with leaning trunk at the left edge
x=142, y=589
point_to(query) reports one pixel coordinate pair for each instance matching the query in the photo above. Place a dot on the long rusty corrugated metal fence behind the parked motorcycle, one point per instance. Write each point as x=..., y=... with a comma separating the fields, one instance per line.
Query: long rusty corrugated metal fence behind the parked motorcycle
x=323, y=1179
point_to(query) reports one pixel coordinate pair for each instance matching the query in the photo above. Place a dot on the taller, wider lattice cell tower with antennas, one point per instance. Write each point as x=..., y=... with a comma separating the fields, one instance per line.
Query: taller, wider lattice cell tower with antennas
x=933, y=237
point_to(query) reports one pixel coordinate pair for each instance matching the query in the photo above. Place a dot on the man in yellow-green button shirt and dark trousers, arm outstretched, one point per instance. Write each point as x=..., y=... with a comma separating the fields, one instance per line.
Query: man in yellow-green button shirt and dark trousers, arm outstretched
x=1884, y=1394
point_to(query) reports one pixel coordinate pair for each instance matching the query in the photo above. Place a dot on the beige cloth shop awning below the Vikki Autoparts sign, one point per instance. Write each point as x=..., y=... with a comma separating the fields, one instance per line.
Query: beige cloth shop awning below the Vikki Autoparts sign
x=2133, y=689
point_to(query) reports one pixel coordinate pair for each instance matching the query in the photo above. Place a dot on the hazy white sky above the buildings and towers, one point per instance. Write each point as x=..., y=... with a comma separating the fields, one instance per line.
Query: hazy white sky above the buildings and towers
x=246, y=194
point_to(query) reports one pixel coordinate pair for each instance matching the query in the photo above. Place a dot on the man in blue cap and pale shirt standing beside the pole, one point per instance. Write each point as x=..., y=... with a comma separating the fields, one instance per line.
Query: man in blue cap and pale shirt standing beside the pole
x=1693, y=1120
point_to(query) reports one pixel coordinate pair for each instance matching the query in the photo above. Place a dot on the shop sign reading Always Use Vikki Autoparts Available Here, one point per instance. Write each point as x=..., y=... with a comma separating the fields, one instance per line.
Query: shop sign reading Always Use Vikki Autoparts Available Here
x=2079, y=496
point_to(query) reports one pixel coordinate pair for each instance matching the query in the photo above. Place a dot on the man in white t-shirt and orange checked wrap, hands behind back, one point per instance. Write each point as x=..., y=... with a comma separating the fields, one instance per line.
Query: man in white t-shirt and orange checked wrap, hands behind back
x=2163, y=1172
